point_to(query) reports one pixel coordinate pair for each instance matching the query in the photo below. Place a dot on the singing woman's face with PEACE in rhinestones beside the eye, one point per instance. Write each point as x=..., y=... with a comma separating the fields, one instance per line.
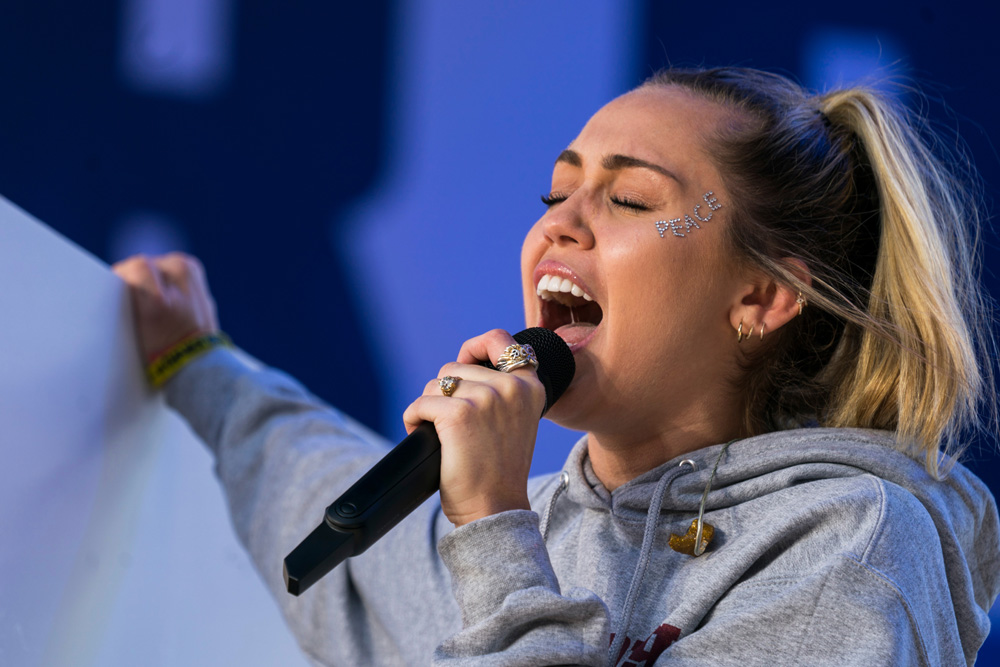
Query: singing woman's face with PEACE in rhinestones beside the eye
x=647, y=313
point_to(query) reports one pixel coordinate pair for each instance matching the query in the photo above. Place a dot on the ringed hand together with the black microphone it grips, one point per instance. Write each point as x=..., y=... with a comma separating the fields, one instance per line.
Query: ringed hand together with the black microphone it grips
x=486, y=443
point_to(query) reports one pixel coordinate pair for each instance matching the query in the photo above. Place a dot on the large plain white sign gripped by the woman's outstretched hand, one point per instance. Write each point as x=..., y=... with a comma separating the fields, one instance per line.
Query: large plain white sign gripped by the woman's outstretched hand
x=115, y=548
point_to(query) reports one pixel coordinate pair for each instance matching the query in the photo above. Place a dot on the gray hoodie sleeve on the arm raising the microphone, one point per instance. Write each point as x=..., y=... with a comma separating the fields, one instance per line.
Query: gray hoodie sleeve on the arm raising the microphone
x=513, y=612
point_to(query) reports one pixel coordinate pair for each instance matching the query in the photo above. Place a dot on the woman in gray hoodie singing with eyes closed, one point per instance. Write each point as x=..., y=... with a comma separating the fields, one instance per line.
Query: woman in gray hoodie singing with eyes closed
x=772, y=303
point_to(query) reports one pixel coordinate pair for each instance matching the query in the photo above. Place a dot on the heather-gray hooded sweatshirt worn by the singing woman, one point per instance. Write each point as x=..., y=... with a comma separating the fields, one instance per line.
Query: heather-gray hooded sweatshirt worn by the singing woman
x=830, y=548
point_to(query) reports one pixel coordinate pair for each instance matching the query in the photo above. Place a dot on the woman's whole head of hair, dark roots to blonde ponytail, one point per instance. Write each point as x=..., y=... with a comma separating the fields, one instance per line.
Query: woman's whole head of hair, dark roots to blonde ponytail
x=895, y=330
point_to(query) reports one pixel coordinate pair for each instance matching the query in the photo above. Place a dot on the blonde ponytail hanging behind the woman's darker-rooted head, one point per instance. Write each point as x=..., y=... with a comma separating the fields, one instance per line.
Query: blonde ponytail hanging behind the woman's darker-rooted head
x=917, y=370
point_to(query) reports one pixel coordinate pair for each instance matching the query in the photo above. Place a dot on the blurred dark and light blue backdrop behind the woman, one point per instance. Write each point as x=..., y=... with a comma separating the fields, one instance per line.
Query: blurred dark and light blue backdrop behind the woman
x=357, y=177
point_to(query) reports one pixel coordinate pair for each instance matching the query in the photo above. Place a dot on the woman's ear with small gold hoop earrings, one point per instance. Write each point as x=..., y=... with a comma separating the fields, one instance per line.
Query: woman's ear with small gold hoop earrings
x=765, y=305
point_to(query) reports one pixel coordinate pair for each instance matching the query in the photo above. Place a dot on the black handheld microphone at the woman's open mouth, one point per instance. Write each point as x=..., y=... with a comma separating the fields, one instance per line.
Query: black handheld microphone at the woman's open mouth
x=405, y=477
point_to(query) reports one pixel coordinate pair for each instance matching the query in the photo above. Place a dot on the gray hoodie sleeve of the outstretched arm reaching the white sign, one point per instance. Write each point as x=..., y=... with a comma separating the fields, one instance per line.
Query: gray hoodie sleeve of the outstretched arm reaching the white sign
x=282, y=456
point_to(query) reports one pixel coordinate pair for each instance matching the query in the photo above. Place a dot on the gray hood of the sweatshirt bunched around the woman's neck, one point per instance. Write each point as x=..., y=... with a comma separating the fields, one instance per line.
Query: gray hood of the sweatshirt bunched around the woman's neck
x=961, y=507
